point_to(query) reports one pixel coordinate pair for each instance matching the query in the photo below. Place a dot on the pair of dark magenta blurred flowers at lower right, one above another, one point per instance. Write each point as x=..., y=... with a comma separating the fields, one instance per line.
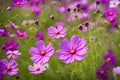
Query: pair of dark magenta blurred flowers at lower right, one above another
x=109, y=60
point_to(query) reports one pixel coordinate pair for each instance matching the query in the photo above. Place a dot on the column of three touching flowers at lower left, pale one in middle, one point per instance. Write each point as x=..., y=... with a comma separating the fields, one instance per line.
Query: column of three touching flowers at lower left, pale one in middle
x=10, y=66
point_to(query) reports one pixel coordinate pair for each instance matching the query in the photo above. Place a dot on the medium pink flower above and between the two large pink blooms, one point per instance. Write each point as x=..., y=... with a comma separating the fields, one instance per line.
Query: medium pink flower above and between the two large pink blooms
x=57, y=32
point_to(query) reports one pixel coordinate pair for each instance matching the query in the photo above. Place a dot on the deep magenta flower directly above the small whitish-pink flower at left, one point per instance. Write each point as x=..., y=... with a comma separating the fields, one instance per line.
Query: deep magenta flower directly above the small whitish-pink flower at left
x=11, y=45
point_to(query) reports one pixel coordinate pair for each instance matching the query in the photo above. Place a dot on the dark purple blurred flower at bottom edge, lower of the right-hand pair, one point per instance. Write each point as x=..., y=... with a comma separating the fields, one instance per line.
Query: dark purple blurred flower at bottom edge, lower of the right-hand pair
x=102, y=73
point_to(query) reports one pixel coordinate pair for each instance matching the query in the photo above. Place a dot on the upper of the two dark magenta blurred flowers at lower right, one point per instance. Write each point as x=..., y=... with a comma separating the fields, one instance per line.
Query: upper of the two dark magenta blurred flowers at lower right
x=110, y=58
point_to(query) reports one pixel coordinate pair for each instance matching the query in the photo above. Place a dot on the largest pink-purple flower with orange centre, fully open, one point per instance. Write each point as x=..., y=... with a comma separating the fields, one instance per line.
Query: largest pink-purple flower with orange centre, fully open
x=73, y=50
